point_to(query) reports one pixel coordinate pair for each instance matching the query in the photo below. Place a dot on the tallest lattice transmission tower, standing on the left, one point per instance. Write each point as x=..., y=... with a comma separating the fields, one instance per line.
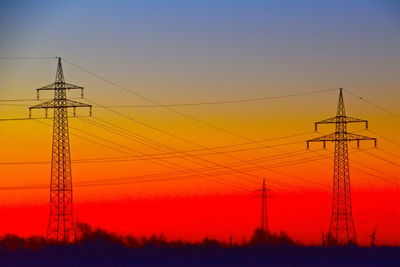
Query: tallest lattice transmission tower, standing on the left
x=61, y=226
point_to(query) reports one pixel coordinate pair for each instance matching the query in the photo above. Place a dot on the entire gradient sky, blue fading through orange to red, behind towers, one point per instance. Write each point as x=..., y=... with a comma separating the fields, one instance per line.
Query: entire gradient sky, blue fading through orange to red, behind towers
x=195, y=51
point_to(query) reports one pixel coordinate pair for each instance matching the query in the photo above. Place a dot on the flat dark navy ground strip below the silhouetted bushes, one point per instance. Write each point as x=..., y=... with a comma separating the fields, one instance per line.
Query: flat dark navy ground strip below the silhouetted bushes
x=109, y=254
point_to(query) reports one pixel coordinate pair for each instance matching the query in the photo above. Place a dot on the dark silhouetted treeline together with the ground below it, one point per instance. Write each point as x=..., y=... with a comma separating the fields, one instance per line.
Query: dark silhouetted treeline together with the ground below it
x=97, y=247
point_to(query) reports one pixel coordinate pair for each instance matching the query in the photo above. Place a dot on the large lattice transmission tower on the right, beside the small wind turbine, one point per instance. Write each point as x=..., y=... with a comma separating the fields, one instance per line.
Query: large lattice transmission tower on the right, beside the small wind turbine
x=342, y=230
